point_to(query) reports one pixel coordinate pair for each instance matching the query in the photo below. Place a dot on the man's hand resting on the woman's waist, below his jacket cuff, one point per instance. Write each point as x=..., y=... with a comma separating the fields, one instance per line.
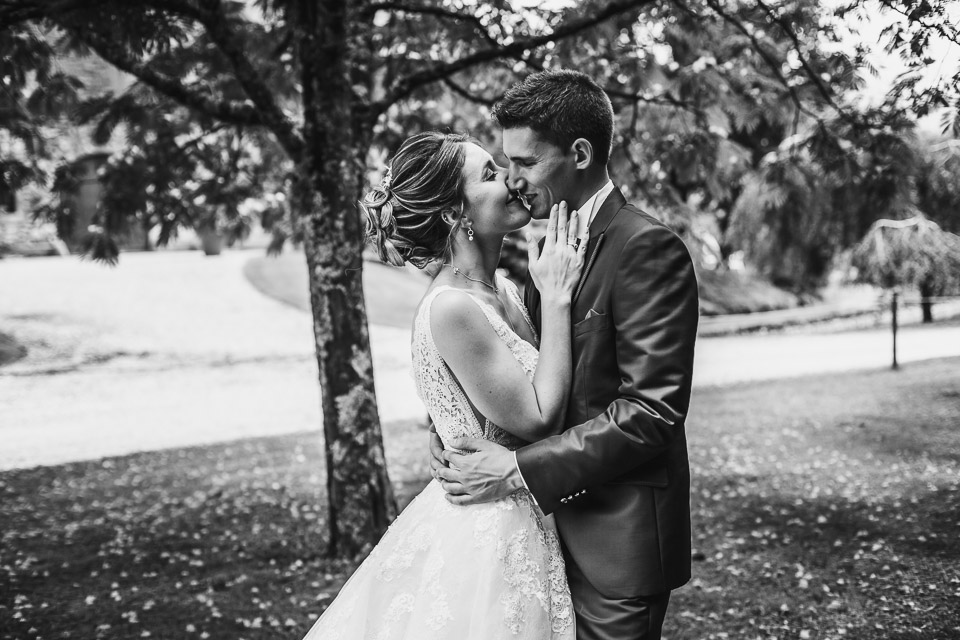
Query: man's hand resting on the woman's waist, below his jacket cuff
x=485, y=472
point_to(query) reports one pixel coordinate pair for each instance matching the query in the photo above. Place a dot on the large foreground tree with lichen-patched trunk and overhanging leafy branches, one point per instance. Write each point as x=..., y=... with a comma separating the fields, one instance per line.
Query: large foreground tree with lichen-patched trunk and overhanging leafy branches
x=324, y=82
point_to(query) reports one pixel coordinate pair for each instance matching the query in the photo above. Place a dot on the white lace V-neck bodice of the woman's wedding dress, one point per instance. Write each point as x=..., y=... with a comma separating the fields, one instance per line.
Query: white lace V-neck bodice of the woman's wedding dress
x=440, y=391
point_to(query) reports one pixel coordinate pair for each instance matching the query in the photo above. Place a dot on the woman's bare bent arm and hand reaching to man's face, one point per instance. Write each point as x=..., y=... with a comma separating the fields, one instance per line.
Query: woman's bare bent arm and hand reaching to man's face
x=489, y=374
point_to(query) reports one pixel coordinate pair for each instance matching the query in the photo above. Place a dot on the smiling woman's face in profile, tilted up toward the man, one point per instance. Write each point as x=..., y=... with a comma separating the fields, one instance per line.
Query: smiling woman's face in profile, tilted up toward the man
x=491, y=208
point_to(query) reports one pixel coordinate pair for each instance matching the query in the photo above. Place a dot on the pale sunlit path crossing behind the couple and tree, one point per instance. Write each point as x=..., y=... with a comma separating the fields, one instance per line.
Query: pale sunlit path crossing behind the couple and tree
x=131, y=359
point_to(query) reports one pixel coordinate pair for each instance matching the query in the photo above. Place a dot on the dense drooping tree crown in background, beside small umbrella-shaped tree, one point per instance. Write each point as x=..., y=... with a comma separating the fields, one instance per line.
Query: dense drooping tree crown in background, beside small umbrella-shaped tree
x=817, y=193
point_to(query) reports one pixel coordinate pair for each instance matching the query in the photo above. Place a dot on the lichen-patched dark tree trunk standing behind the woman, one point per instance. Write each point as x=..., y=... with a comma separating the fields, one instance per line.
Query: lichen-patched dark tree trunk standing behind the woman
x=360, y=495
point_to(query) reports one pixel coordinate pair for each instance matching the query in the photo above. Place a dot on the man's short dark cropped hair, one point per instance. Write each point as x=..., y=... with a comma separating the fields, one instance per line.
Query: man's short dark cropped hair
x=561, y=106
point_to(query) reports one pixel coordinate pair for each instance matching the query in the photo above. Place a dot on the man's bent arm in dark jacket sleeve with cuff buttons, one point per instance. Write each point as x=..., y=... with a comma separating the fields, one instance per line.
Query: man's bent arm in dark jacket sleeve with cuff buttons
x=655, y=314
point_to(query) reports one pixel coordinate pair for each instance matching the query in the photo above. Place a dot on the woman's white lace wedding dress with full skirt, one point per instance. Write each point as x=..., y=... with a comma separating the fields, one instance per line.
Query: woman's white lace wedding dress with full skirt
x=447, y=572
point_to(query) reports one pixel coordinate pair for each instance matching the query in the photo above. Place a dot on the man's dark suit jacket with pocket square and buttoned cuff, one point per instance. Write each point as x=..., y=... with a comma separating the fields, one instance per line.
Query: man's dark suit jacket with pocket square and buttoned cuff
x=617, y=479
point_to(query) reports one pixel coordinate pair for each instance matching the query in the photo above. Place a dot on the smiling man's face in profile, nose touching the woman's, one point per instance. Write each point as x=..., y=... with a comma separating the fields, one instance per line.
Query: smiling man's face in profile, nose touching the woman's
x=542, y=173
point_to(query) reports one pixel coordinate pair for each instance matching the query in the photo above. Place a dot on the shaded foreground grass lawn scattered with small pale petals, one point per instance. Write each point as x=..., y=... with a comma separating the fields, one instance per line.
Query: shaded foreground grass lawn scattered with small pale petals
x=824, y=507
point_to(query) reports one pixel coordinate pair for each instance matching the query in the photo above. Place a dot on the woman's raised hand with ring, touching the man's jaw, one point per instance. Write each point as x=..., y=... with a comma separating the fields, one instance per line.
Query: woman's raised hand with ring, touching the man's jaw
x=556, y=270
